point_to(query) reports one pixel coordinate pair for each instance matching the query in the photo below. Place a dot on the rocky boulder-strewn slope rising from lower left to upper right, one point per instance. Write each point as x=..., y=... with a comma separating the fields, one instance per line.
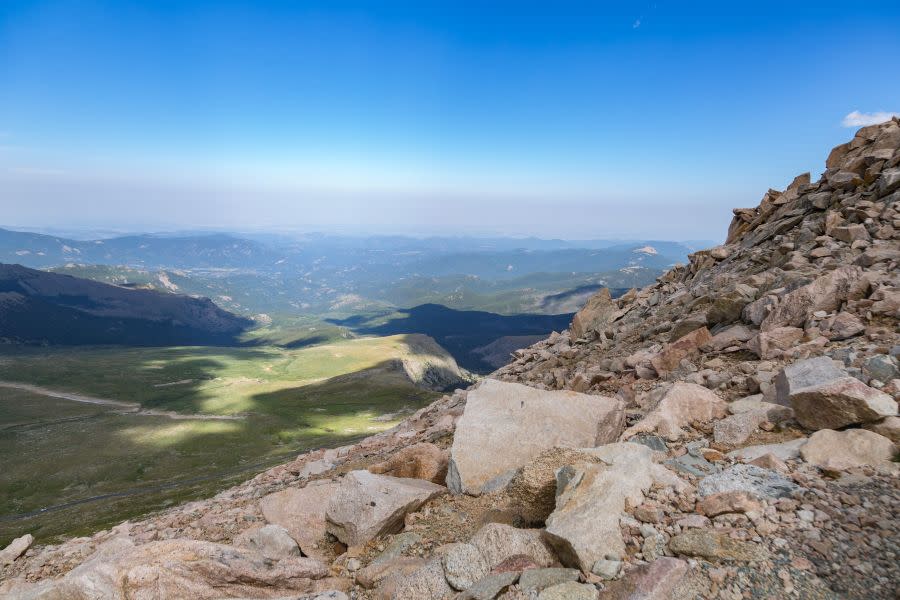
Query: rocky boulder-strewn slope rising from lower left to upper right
x=728, y=432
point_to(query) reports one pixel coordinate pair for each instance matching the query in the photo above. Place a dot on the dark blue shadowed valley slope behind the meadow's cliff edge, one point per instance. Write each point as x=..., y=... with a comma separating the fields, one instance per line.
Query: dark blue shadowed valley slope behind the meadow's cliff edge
x=458, y=331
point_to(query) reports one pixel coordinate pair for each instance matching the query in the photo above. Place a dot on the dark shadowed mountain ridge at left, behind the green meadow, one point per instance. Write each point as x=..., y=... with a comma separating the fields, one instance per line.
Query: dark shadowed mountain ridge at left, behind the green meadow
x=37, y=307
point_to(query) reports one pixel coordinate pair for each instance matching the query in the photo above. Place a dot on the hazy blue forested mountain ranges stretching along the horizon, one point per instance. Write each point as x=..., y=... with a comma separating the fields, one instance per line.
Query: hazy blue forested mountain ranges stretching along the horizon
x=342, y=276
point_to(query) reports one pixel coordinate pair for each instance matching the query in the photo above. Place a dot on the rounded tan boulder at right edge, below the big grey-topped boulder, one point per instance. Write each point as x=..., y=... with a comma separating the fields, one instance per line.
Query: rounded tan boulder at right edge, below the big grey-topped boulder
x=841, y=450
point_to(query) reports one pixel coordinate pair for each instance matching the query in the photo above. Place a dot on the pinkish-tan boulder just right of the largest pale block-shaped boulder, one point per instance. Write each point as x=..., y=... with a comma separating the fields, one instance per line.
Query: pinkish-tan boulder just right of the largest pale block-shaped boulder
x=681, y=404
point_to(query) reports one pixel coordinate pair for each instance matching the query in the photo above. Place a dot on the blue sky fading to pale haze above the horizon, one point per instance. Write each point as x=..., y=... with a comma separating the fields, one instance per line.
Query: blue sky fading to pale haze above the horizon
x=568, y=119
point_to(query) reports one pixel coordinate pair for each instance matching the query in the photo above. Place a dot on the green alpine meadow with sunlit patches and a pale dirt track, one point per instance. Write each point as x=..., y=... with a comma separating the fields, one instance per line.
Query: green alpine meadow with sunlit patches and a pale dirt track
x=60, y=455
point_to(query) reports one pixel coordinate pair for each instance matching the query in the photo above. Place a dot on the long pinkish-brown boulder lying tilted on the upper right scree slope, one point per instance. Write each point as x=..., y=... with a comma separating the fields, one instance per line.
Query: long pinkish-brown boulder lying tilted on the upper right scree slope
x=826, y=293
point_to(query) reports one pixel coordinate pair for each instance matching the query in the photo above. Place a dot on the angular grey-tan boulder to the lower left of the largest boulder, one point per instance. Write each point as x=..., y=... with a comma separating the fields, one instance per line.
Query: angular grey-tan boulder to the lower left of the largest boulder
x=367, y=505
